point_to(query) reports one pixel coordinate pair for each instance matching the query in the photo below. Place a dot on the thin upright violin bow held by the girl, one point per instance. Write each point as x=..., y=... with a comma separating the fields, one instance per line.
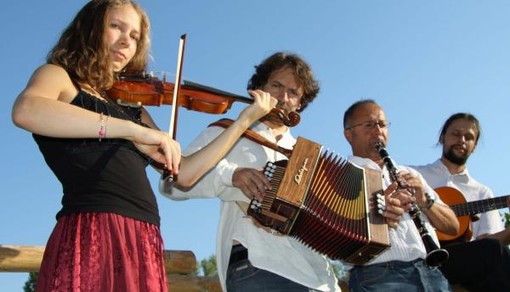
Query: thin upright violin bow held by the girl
x=172, y=129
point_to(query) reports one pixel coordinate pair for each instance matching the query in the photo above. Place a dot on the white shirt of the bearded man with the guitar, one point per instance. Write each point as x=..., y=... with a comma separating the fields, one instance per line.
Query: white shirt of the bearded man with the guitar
x=438, y=175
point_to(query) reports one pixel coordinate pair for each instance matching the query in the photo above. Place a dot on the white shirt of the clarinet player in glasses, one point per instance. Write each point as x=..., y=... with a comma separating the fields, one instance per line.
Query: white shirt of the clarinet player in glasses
x=405, y=240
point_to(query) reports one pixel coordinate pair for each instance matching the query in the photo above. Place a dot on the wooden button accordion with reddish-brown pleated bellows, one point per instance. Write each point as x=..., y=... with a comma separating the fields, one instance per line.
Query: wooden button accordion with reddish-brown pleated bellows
x=326, y=202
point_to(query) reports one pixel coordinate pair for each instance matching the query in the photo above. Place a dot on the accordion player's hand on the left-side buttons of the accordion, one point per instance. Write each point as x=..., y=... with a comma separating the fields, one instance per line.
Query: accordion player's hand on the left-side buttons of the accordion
x=252, y=182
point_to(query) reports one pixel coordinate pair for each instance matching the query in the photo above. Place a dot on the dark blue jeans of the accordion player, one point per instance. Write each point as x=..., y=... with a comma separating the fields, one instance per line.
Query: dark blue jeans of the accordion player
x=242, y=276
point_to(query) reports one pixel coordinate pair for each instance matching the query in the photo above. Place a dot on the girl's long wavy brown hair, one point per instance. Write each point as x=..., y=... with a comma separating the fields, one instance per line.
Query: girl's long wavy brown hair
x=82, y=52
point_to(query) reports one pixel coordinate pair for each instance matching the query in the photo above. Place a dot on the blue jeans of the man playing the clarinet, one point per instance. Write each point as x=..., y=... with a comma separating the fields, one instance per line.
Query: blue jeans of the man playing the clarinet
x=414, y=276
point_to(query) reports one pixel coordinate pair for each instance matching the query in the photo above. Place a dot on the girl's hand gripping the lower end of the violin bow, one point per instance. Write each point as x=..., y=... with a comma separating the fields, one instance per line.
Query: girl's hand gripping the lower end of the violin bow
x=160, y=147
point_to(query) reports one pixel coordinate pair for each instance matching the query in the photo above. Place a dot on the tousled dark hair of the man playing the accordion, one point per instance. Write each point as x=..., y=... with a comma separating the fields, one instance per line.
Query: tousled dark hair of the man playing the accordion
x=301, y=69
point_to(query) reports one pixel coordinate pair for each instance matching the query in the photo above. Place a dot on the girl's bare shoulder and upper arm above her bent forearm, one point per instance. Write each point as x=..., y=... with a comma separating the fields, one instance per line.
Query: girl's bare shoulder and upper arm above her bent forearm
x=51, y=81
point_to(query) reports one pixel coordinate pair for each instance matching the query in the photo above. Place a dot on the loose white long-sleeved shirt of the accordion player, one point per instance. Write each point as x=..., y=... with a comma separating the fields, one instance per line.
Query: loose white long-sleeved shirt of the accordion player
x=282, y=255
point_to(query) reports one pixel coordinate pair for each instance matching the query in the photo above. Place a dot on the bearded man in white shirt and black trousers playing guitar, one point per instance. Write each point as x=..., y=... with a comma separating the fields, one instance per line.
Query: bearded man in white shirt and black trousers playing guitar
x=480, y=262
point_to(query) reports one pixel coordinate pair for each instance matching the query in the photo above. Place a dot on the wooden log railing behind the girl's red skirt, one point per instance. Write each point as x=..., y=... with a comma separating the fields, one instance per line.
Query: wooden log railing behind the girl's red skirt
x=180, y=267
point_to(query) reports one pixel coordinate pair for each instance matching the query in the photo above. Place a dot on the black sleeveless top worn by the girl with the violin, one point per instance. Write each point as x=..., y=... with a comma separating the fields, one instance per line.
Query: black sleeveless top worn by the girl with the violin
x=101, y=176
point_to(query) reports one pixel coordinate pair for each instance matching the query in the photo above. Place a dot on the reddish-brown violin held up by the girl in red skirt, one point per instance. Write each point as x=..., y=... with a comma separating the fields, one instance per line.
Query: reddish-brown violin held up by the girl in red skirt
x=145, y=89
